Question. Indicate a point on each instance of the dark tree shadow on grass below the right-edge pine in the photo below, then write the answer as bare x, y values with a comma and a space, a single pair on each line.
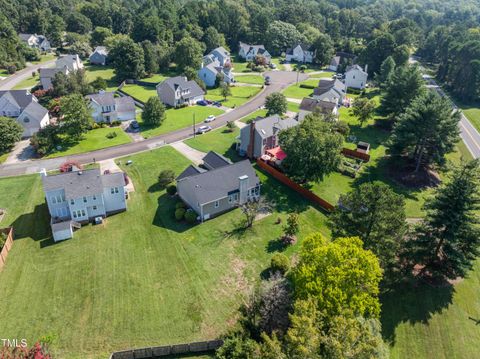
412, 303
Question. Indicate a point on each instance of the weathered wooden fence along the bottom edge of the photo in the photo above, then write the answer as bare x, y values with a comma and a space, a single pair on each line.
177, 349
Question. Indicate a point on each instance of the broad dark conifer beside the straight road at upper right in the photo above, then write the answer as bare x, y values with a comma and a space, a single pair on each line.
426, 131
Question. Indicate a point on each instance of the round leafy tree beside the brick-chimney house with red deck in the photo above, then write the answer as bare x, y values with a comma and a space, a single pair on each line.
313, 149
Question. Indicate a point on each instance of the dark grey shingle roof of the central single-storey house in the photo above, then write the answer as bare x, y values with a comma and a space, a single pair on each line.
212, 185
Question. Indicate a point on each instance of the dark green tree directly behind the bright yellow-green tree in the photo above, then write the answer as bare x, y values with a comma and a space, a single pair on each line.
376, 214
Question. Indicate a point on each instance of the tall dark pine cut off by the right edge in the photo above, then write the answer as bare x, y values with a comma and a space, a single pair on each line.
447, 242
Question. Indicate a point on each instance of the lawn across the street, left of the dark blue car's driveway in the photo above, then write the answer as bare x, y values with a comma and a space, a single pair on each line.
93, 140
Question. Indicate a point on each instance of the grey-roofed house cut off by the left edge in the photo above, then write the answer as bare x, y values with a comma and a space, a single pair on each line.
24, 106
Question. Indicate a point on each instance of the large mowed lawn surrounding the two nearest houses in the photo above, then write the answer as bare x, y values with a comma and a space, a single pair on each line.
142, 278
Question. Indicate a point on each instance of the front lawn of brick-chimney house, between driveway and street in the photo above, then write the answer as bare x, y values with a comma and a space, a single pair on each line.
220, 140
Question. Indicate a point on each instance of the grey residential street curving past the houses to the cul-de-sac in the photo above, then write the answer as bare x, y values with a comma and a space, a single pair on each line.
279, 80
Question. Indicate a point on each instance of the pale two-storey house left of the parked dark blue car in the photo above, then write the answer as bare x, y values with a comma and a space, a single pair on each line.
108, 108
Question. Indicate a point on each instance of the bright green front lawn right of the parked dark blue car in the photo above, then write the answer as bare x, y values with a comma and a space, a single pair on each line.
177, 119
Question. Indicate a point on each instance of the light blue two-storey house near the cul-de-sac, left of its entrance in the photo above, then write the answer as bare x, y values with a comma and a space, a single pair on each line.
216, 63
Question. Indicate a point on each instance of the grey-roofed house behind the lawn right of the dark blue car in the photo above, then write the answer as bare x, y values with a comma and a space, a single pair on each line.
177, 91
